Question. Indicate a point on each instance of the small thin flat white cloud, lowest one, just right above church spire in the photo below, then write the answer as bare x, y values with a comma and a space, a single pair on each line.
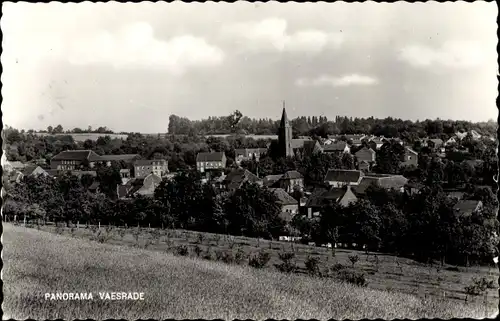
344, 81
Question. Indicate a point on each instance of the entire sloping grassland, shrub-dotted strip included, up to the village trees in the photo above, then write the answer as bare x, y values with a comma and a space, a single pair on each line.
69, 259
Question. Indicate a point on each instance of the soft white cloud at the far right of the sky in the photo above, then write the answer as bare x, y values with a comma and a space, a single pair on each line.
453, 54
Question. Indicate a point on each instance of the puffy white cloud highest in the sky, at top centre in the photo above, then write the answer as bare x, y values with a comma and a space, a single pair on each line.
272, 34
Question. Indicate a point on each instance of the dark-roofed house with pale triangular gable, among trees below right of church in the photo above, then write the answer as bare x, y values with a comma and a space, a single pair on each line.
321, 196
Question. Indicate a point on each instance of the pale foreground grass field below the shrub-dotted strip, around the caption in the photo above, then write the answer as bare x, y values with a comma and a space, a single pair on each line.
36, 262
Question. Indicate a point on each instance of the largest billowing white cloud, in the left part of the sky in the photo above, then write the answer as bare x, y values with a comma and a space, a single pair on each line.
136, 45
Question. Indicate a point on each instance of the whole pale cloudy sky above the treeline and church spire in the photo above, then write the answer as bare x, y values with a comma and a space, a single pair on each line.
129, 66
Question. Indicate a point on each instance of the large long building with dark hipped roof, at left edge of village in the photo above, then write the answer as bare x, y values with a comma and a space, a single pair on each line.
74, 159
